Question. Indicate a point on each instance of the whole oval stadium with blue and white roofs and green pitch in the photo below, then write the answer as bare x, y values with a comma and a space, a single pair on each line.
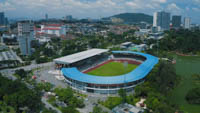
104, 72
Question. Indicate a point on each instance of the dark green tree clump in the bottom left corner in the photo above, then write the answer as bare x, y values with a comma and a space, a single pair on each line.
17, 95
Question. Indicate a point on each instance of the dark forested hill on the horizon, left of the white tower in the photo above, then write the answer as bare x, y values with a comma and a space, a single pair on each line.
133, 17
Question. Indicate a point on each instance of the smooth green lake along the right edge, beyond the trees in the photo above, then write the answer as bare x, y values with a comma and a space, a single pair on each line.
185, 67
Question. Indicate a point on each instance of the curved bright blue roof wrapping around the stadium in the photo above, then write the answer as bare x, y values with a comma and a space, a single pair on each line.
139, 73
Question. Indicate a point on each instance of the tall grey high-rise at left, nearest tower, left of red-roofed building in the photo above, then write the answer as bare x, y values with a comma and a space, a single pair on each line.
25, 36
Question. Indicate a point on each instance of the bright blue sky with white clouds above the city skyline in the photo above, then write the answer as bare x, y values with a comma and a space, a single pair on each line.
36, 9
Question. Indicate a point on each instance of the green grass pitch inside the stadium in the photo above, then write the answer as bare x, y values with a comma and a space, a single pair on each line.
112, 69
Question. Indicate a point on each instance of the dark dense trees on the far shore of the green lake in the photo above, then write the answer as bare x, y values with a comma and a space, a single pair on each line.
184, 41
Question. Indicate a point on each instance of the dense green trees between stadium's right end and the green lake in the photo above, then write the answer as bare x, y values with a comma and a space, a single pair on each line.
158, 83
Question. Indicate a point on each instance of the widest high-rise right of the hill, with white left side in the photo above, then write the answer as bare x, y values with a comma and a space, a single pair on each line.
162, 20
